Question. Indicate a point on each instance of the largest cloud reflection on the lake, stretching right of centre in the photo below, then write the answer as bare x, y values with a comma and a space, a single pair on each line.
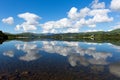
76, 53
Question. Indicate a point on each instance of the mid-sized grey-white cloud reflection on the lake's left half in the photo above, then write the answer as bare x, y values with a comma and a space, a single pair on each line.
31, 50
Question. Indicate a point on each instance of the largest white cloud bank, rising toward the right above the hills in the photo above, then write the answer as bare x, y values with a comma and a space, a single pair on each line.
76, 19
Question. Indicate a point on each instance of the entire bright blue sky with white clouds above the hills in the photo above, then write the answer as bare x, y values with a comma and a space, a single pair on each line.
59, 16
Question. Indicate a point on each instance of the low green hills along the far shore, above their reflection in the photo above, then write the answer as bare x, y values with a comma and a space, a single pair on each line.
69, 36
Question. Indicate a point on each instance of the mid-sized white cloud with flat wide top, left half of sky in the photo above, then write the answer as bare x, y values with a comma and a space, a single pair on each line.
31, 22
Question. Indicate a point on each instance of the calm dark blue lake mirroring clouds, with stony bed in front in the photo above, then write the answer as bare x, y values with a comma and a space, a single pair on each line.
59, 60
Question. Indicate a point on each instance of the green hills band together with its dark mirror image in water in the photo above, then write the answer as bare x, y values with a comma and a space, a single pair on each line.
100, 36
